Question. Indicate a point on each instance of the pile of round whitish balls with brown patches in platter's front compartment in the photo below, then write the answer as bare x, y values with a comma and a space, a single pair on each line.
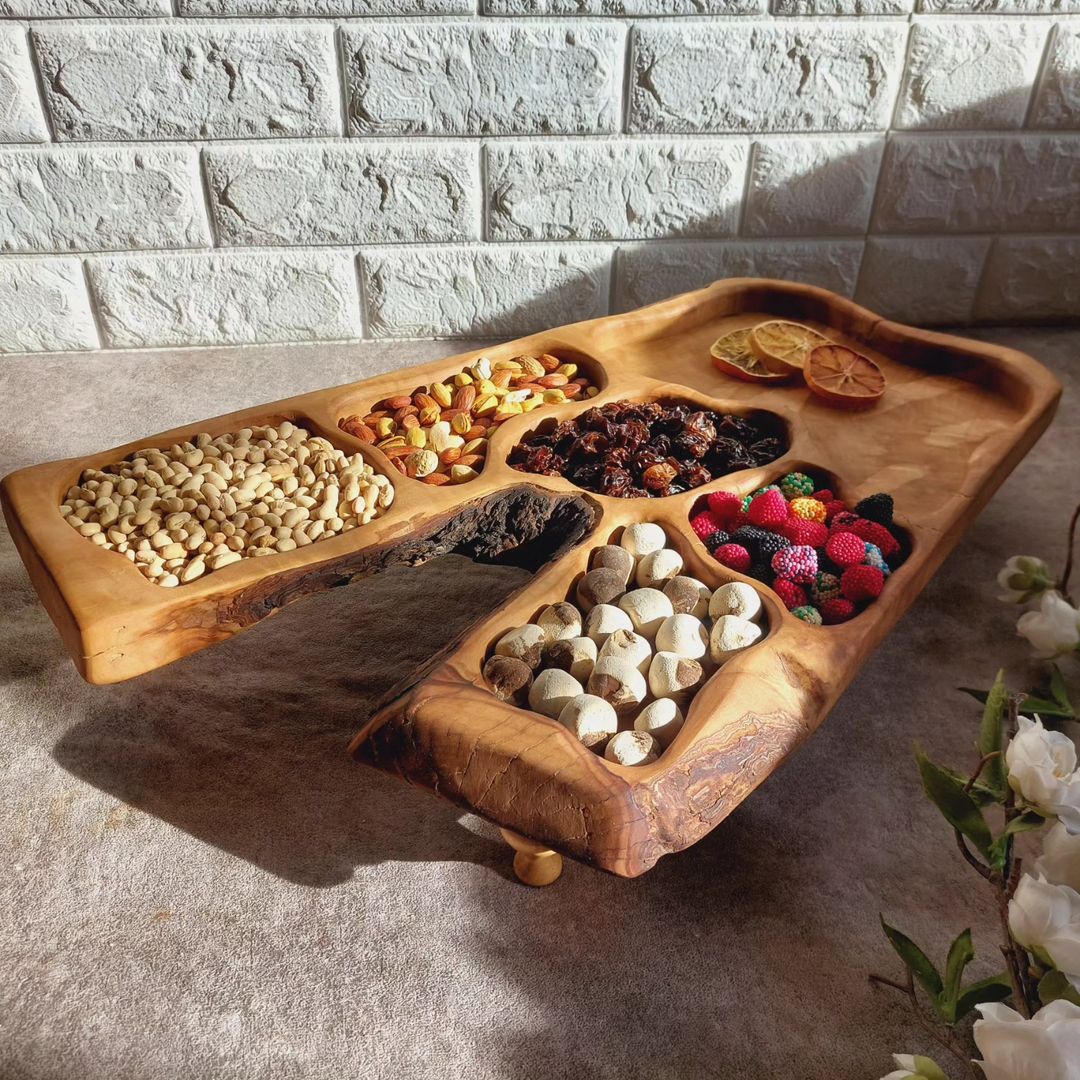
620, 667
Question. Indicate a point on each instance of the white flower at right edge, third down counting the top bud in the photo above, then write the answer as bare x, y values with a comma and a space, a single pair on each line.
1043, 769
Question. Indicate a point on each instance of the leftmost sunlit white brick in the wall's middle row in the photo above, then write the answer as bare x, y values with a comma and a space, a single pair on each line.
82, 200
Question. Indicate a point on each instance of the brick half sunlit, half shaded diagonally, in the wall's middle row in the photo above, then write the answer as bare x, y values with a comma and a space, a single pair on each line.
813, 186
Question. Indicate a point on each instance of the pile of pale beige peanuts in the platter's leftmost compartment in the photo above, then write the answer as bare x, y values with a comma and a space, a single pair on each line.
197, 507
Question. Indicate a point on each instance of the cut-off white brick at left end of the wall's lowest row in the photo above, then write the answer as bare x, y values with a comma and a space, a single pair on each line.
44, 307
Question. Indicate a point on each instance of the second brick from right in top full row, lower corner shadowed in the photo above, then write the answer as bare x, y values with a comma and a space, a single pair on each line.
968, 74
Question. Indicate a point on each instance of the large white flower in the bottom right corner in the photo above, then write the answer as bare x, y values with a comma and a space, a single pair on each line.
1047, 1047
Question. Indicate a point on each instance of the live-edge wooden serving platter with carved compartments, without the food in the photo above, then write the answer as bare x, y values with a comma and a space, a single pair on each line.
956, 420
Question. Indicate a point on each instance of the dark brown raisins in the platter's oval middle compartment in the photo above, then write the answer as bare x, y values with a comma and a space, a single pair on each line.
647, 450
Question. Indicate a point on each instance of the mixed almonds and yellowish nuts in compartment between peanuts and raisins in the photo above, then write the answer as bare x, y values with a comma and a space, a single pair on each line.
439, 435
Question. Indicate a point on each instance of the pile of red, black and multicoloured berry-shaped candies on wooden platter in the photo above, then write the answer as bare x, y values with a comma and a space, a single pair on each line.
825, 560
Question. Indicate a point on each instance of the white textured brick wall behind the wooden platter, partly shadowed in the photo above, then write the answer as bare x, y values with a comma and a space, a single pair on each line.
198, 172
